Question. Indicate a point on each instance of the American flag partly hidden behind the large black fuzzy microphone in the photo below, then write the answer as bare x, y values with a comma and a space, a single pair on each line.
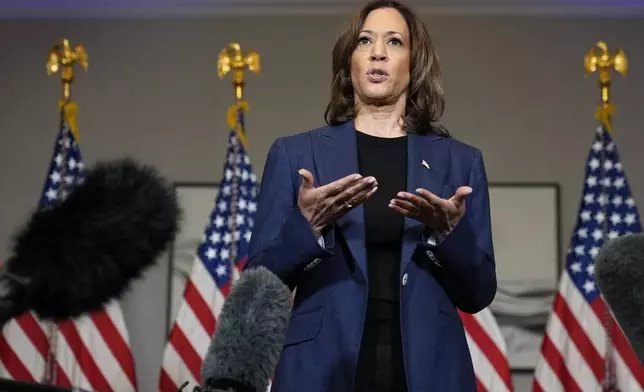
90, 352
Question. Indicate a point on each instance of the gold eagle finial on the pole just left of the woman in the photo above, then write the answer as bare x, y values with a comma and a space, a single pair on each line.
232, 59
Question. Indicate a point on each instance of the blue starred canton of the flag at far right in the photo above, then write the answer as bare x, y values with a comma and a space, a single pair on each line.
607, 208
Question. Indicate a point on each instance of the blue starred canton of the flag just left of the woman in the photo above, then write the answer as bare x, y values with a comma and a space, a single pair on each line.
227, 235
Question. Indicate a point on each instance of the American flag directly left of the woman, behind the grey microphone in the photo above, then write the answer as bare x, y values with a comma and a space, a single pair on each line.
219, 259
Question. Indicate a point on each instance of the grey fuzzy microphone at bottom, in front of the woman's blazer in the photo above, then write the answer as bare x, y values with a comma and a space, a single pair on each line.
249, 337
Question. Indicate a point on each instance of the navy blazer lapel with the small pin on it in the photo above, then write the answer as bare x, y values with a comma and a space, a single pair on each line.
427, 160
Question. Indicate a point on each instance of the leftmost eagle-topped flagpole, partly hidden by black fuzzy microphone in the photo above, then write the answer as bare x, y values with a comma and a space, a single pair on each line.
62, 57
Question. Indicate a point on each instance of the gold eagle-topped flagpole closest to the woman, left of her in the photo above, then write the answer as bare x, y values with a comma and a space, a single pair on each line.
232, 59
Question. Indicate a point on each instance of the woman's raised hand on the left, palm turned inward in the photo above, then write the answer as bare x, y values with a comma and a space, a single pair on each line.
321, 206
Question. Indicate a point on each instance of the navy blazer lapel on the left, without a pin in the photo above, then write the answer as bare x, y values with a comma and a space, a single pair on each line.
335, 156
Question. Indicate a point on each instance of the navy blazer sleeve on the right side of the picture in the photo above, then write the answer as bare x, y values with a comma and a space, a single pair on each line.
465, 264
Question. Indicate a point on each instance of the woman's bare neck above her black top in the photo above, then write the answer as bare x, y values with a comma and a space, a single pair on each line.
381, 121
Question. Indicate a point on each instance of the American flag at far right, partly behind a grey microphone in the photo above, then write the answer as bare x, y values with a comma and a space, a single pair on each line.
584, 348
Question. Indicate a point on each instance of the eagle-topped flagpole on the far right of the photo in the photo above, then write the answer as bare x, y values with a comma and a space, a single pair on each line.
603, 62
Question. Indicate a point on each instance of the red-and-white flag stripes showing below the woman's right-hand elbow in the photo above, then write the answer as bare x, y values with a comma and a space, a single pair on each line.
488, 352
